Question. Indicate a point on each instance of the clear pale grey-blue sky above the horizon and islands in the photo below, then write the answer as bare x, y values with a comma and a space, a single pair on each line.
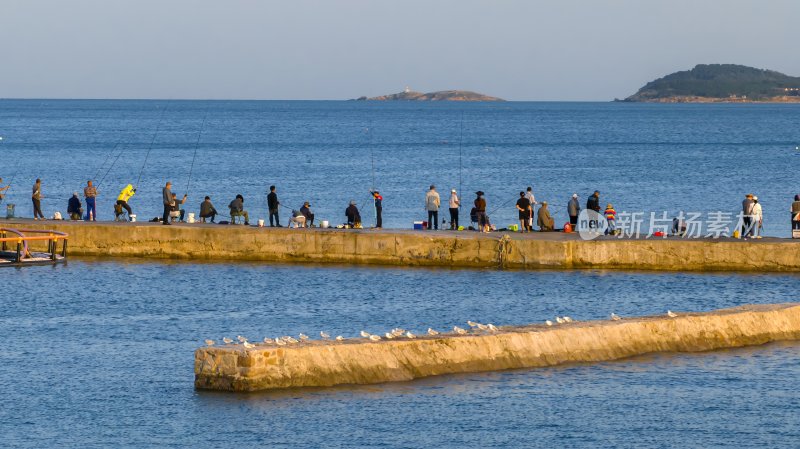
561, 50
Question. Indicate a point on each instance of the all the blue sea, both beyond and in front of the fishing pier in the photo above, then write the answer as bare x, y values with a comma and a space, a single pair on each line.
99, 352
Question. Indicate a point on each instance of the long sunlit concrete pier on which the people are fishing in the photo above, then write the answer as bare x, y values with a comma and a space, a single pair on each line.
419, 248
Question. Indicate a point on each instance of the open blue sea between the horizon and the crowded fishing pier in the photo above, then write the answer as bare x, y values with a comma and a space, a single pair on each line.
642, 157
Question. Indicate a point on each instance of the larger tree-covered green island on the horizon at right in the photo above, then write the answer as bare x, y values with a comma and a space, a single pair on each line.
721, 83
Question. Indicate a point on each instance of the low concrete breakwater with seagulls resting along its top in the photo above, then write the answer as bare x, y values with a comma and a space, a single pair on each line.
322, 364
